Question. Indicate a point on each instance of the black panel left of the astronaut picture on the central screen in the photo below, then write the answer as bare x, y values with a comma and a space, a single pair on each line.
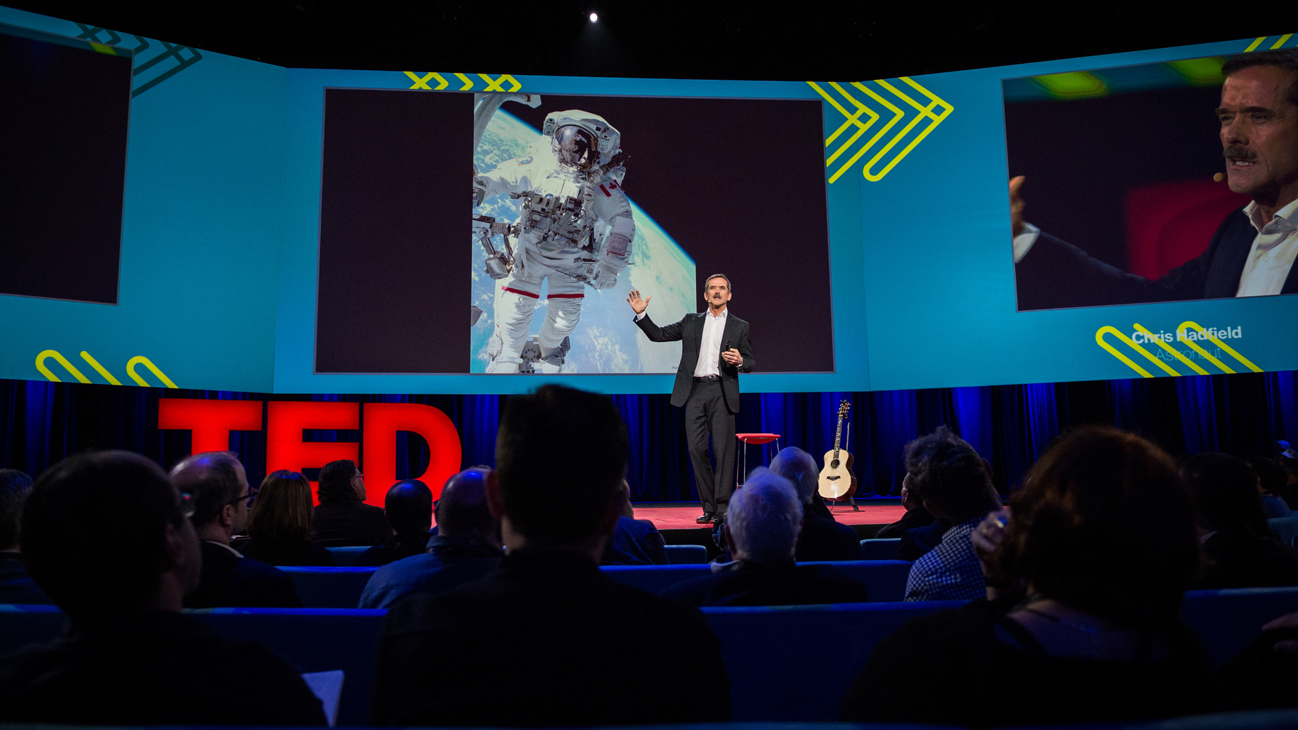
394, 264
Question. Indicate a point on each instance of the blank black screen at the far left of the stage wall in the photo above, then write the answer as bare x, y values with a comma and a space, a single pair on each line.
64, 118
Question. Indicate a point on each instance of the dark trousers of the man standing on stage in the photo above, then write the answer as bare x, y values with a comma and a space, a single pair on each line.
707, 415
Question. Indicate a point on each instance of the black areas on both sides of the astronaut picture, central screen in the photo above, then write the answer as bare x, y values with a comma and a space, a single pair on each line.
739, 184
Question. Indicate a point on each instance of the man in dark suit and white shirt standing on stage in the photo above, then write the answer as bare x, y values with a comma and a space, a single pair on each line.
716, 350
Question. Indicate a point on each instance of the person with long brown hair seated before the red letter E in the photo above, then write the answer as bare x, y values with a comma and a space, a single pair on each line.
280, 524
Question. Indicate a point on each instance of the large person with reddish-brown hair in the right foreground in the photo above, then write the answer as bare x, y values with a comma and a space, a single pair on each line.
1097, 557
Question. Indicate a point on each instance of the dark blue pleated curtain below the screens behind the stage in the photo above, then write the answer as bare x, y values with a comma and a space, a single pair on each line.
42, 423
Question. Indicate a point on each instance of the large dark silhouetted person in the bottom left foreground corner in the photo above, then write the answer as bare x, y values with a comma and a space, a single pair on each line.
129, 657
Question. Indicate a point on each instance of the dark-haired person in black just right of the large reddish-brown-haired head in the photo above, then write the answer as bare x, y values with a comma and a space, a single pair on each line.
1240, 549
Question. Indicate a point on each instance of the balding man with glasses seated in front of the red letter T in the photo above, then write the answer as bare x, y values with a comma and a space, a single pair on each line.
220, 490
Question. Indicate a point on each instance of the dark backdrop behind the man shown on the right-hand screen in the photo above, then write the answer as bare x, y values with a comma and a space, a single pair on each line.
1082, 158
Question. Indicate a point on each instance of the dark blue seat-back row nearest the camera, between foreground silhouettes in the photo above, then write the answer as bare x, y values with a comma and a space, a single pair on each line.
786, 664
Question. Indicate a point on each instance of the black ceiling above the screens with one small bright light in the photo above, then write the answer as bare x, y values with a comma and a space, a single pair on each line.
825, 41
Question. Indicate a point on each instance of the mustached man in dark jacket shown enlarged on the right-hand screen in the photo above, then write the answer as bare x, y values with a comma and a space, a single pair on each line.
1252, 253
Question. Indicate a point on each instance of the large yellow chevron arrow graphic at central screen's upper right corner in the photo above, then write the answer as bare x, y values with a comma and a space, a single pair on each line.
930, 115
